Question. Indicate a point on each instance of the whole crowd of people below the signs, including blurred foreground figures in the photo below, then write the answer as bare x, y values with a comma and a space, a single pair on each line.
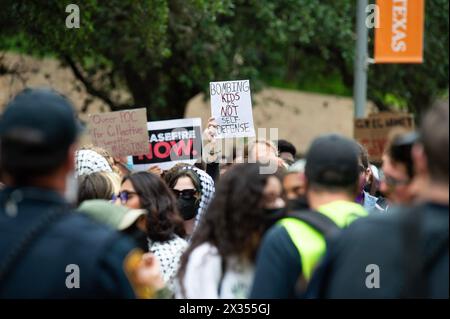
309, 229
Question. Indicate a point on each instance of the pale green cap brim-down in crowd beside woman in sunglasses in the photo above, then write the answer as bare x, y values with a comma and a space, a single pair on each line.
118, 217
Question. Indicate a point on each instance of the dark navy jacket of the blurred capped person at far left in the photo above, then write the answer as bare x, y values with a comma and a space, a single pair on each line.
43, 269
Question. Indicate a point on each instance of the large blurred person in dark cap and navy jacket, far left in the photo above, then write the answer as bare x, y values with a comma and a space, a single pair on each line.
44, 245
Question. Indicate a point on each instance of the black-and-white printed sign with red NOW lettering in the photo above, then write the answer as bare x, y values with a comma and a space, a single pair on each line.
171, 142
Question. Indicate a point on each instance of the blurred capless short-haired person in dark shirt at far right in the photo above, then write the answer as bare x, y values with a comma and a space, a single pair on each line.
403, 254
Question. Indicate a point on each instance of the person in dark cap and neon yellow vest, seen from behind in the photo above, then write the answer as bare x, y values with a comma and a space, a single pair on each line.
292, 248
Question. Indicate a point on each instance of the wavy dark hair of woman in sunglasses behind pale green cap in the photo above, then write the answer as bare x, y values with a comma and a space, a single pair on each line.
163, 218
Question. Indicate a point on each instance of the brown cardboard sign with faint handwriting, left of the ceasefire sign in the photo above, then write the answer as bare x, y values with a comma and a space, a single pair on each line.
121, 133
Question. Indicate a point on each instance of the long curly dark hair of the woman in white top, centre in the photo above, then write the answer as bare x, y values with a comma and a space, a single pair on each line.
234, 221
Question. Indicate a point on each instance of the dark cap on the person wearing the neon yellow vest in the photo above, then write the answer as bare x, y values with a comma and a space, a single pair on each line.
332, 160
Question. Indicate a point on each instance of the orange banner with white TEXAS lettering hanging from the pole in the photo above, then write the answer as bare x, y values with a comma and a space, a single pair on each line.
399, 36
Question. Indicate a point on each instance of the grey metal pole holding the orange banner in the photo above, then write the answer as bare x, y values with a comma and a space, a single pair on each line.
360, 84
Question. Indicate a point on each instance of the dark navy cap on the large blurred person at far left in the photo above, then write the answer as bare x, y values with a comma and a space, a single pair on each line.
42, 117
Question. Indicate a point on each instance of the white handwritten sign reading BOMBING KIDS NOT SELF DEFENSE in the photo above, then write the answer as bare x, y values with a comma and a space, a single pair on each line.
231, 105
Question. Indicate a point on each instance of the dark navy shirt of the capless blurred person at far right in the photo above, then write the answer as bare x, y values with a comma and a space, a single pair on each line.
372, 258
